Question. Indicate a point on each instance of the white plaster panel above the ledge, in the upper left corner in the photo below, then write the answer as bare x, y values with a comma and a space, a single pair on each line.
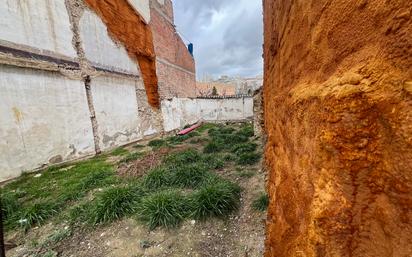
43, 24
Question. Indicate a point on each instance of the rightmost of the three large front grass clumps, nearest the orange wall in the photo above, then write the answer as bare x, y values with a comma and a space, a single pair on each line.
216, 199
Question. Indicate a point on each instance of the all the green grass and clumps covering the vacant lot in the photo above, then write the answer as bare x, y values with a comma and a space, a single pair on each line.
184, 186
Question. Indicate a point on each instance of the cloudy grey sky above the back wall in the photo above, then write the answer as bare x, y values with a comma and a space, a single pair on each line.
227, 35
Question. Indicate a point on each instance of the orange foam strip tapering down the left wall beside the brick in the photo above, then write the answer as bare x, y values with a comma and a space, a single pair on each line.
128, 27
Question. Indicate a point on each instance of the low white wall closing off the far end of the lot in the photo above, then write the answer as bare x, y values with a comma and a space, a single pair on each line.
179, 112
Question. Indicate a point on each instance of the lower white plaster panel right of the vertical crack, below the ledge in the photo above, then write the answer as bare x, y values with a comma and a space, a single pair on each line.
115, 103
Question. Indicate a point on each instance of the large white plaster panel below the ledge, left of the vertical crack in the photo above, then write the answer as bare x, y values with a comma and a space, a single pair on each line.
42, 115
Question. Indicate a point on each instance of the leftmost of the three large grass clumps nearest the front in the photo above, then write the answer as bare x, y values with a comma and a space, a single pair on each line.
114, 203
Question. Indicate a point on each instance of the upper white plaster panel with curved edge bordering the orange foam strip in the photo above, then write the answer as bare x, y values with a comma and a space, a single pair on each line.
99, 47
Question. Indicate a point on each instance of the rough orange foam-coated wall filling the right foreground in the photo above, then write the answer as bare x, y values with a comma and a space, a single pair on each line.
338, 114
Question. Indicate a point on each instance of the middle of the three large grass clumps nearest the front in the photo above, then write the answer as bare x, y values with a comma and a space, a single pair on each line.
165, 208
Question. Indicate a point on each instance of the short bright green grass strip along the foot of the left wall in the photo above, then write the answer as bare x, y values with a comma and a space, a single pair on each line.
33, 200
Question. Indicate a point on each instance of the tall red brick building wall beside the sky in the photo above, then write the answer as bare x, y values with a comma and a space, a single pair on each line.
175, 65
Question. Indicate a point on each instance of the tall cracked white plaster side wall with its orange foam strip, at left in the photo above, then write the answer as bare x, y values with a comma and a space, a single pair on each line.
70, 85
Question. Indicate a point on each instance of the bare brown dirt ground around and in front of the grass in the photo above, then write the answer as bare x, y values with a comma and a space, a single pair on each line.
242, 234
